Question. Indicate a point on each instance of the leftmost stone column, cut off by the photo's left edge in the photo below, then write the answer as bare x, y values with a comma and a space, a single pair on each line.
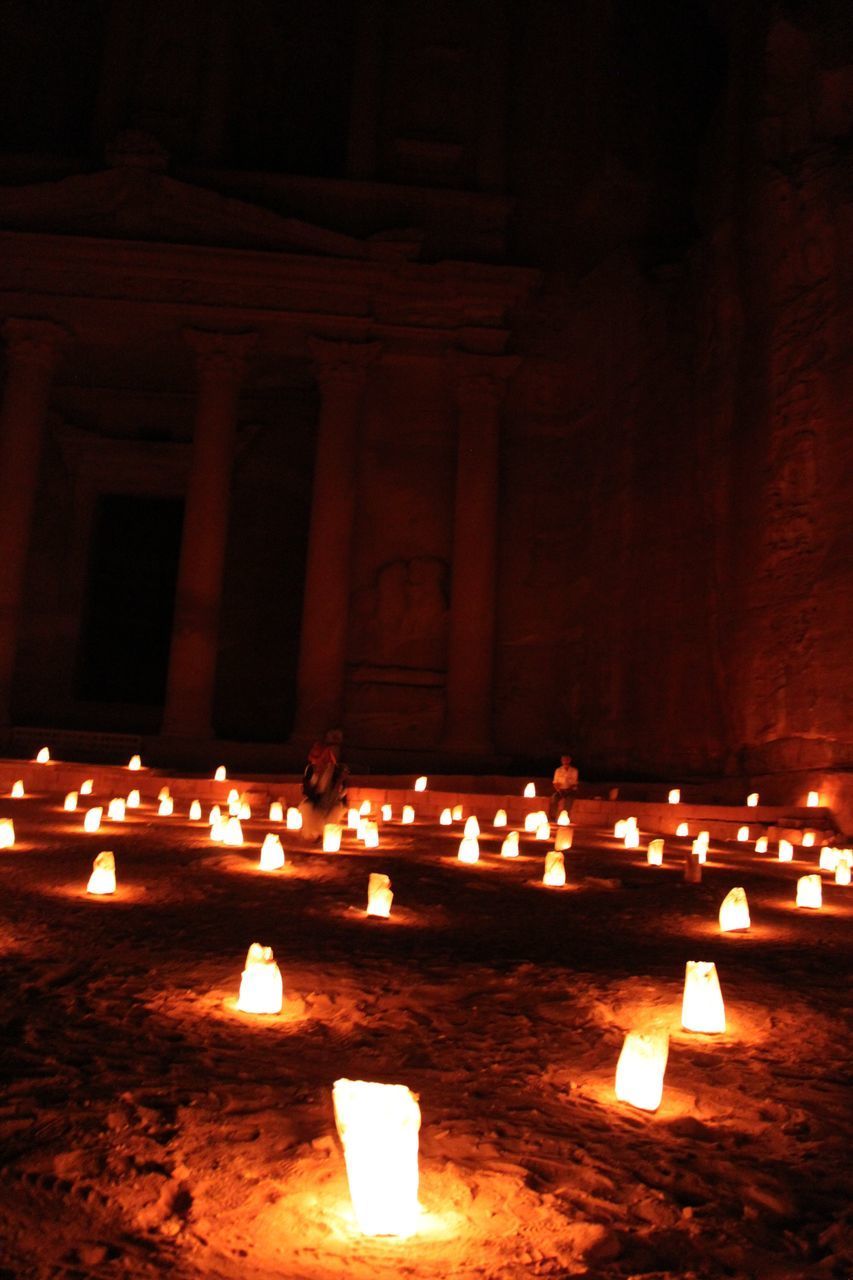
31, 355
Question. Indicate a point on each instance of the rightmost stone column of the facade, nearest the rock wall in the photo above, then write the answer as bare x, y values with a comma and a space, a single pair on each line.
481, 388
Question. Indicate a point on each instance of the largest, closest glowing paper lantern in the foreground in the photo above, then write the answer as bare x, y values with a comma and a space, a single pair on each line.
378, 1126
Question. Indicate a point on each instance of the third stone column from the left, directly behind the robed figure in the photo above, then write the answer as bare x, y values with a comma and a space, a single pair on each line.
343, 374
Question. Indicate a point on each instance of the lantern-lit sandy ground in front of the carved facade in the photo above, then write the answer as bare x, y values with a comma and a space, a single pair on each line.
148, 1128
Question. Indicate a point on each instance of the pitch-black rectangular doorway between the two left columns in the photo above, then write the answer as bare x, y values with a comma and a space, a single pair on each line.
130, 600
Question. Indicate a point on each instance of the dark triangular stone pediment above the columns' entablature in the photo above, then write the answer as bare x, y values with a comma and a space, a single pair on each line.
129, 203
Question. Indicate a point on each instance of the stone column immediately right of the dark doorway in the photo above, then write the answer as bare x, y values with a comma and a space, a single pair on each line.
221, 362
